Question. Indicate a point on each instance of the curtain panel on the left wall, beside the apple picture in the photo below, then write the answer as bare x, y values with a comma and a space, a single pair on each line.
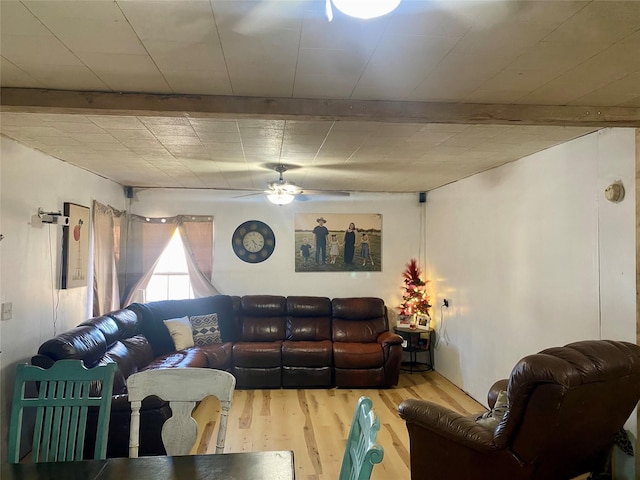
107, 227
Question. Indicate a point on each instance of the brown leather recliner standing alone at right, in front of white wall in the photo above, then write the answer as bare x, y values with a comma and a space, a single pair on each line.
565, 405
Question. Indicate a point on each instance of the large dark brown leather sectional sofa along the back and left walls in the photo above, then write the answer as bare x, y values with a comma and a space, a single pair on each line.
268, 341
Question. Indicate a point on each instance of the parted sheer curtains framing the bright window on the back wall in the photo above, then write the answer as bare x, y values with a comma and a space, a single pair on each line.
147, 239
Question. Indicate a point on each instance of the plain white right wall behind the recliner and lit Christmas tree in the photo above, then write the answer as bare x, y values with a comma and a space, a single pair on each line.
532, 256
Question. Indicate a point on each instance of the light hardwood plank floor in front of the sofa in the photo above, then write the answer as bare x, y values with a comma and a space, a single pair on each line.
314, 423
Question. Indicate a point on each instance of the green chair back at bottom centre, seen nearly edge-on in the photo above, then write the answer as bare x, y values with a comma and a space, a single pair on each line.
362, 452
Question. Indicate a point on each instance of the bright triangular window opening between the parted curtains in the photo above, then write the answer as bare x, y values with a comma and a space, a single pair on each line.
170, 279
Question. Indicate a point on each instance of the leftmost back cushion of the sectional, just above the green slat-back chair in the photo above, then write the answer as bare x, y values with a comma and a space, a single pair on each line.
86, 343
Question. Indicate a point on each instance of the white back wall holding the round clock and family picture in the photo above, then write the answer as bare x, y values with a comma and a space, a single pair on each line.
401, 215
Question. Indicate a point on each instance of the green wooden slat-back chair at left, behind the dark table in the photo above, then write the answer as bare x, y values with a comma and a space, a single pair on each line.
61, 407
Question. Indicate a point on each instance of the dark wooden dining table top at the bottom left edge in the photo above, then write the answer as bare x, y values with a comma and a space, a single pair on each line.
272, 465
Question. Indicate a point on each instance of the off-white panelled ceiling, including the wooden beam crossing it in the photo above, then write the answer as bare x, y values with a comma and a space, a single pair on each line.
436, 91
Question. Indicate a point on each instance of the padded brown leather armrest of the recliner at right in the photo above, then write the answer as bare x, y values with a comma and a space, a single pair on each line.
448, 424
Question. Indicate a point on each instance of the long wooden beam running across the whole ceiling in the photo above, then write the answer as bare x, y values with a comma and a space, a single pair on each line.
212, 106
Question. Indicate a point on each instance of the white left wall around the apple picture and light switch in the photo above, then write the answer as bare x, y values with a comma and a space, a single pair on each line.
30, 254
